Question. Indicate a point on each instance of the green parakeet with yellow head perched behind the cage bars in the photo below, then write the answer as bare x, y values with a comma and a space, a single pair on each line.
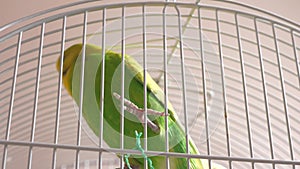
133, 106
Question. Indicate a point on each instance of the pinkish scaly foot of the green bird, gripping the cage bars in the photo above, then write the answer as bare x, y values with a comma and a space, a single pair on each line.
140, 113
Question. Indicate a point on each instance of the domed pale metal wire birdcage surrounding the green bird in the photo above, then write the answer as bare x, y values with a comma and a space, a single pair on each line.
232, 75
